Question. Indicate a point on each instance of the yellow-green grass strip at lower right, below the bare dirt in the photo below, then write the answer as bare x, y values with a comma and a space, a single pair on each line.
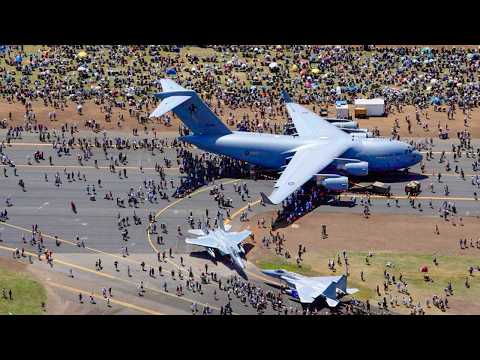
450, 268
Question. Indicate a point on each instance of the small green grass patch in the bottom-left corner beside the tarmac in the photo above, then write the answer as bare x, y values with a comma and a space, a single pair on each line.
27, 293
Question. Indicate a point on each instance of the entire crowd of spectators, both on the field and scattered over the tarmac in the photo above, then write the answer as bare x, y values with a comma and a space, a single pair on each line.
234, 77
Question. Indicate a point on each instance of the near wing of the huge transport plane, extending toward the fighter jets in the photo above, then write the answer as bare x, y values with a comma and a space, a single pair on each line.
307, 161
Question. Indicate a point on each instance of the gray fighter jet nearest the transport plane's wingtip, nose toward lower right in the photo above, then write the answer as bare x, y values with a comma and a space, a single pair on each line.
222, 240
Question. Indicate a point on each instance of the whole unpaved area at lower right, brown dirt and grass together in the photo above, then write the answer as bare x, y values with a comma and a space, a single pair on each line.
407, 241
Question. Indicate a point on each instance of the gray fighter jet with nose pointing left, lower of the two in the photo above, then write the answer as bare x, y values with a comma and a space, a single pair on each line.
308, 289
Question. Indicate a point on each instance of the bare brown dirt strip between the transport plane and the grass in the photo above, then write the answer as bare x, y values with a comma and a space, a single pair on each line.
381, 232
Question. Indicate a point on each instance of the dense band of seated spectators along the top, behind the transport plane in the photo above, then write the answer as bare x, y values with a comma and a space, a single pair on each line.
237, 77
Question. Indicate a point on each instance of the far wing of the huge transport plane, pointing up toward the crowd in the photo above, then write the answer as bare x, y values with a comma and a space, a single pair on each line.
307, 123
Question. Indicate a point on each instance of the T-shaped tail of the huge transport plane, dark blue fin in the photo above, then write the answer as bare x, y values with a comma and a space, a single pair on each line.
192, 111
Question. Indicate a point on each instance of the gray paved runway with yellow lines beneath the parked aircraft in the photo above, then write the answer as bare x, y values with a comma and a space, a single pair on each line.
96, 223
